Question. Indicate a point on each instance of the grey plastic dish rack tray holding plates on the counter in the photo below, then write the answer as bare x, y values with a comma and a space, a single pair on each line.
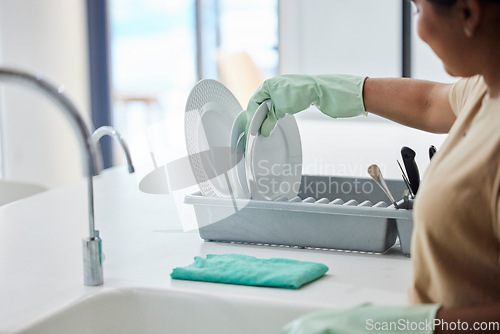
343, 213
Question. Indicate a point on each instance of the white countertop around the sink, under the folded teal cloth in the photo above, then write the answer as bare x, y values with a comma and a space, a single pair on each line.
41, 257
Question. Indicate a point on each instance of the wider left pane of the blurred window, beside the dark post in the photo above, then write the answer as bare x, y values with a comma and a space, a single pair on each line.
153, 58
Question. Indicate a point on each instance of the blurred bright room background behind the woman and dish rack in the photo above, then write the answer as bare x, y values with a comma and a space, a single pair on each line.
132, 64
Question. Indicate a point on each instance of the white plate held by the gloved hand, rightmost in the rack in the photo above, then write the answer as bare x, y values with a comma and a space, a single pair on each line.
273, 164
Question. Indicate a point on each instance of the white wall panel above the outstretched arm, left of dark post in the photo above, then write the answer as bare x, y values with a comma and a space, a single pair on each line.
359, 37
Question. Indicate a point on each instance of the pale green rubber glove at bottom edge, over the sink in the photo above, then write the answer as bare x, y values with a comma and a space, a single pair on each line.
367, 318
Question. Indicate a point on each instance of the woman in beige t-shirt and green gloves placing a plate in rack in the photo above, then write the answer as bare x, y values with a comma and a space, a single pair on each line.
456, 239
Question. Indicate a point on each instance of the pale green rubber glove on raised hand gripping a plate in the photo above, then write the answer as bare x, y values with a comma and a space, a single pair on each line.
336, 95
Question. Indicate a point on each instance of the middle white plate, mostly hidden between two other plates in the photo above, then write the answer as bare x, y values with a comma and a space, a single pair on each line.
237, 157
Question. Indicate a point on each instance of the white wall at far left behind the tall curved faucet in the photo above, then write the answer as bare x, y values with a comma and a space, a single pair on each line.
48, 37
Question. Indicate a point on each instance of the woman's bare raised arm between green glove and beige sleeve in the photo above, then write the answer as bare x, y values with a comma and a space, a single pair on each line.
420, 104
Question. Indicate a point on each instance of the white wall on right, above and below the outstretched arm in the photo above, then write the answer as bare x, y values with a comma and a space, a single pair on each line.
361, 37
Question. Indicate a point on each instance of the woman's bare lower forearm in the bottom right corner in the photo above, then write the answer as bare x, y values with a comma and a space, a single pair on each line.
470, 320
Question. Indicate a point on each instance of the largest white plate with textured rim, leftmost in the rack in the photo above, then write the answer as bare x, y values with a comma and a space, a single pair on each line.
211, 110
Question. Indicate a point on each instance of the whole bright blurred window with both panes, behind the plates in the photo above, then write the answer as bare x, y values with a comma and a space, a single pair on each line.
154, 62
